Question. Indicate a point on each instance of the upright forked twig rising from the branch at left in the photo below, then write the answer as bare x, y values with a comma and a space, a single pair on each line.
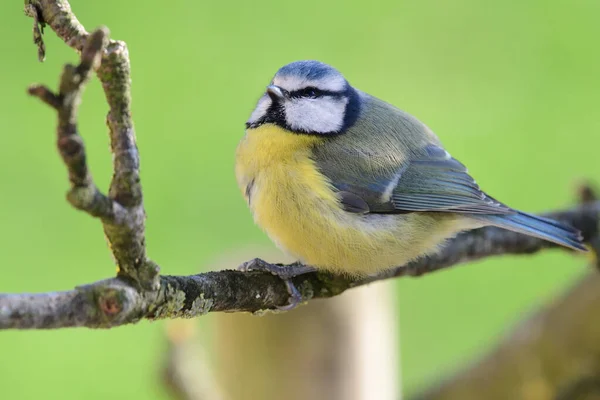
122, 211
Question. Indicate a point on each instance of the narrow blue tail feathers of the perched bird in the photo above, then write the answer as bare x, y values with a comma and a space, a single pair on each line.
539, 227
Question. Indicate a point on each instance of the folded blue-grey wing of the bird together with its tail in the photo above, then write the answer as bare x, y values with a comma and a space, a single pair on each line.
436, 182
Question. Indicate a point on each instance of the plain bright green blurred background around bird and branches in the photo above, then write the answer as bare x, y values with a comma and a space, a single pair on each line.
511, 88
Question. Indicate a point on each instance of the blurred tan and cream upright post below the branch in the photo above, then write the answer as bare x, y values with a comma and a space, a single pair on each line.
342, 348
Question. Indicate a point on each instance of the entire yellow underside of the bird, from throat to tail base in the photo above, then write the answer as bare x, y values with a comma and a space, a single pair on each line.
297, 207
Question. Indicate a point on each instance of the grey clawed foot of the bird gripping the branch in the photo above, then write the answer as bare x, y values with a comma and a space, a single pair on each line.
285, 273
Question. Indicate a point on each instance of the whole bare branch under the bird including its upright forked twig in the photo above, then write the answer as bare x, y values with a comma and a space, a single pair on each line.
138, 292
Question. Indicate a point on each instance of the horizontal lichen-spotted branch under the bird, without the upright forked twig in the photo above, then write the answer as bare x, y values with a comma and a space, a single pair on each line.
117, 301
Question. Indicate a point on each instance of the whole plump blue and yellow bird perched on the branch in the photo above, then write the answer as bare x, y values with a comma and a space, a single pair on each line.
348, 183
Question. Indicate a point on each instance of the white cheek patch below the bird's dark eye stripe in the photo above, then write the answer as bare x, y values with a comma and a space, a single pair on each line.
321, 115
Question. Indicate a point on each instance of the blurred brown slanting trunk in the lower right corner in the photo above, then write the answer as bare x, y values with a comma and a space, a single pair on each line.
553, 355
